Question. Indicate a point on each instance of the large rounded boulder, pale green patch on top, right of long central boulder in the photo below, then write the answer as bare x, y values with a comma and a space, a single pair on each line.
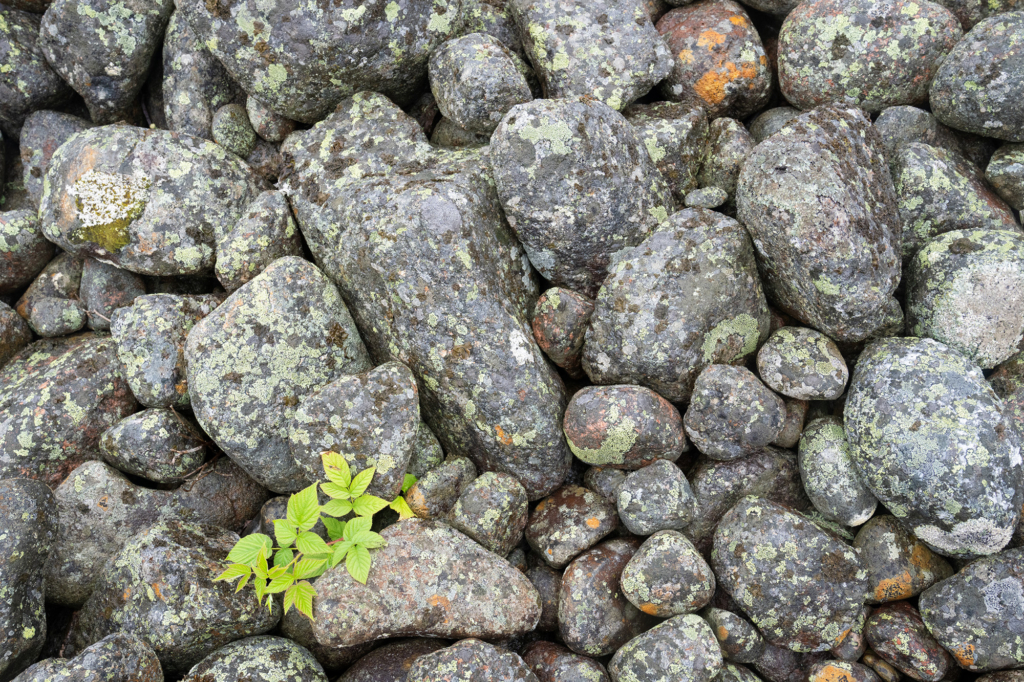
578, 188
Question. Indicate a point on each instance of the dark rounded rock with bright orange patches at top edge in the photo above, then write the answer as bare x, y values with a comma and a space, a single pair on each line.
719, 62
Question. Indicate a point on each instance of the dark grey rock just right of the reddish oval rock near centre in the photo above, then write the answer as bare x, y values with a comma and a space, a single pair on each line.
732, 413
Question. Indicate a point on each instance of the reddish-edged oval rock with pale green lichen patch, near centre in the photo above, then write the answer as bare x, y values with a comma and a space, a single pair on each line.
623, 428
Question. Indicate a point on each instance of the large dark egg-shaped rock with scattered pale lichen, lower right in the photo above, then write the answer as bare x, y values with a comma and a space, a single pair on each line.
774, 563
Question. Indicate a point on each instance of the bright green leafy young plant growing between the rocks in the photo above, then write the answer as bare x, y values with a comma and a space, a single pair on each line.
302, 555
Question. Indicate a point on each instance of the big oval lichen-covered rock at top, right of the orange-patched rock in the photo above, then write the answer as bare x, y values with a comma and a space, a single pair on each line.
874, 54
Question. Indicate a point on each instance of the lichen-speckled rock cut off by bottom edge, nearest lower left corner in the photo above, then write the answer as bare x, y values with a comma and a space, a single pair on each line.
117, 658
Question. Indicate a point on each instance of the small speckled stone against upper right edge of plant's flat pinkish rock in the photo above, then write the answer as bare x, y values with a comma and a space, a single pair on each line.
493, 511
